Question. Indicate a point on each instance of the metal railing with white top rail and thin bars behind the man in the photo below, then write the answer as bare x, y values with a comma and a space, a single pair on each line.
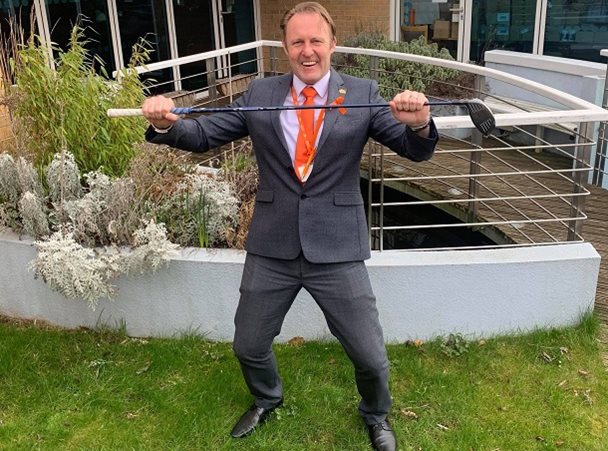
518, 187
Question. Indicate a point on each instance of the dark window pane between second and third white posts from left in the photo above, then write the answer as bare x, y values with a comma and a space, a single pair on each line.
146, 19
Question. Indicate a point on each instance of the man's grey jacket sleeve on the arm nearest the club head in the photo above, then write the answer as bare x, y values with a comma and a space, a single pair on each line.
385, 129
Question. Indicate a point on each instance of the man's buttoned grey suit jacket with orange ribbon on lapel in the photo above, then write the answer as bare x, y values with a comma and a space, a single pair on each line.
325, 217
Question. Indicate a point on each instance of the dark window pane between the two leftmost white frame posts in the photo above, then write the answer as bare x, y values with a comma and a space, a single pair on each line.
93, 16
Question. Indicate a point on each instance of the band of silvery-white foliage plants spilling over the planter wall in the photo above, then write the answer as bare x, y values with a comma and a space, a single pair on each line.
72, 221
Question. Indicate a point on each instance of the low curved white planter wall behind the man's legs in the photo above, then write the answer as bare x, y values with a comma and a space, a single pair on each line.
420, 294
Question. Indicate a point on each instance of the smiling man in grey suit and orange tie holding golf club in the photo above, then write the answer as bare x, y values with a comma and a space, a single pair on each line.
309, 228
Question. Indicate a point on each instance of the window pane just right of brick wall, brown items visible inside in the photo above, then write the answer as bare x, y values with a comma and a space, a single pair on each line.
430, 19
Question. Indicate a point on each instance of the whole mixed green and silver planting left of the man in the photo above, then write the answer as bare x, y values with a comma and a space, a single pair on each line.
86, 187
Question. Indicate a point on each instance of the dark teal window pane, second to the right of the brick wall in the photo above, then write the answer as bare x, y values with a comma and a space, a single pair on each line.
502, 24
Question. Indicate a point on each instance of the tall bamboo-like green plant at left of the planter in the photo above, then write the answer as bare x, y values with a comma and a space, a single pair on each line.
65, 108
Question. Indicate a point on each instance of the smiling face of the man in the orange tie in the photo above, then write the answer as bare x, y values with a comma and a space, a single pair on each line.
309, 45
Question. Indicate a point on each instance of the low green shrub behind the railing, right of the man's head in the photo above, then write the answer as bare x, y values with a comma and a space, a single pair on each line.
397, 75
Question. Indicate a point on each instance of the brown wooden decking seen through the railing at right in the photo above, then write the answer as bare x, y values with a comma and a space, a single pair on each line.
595, 228
